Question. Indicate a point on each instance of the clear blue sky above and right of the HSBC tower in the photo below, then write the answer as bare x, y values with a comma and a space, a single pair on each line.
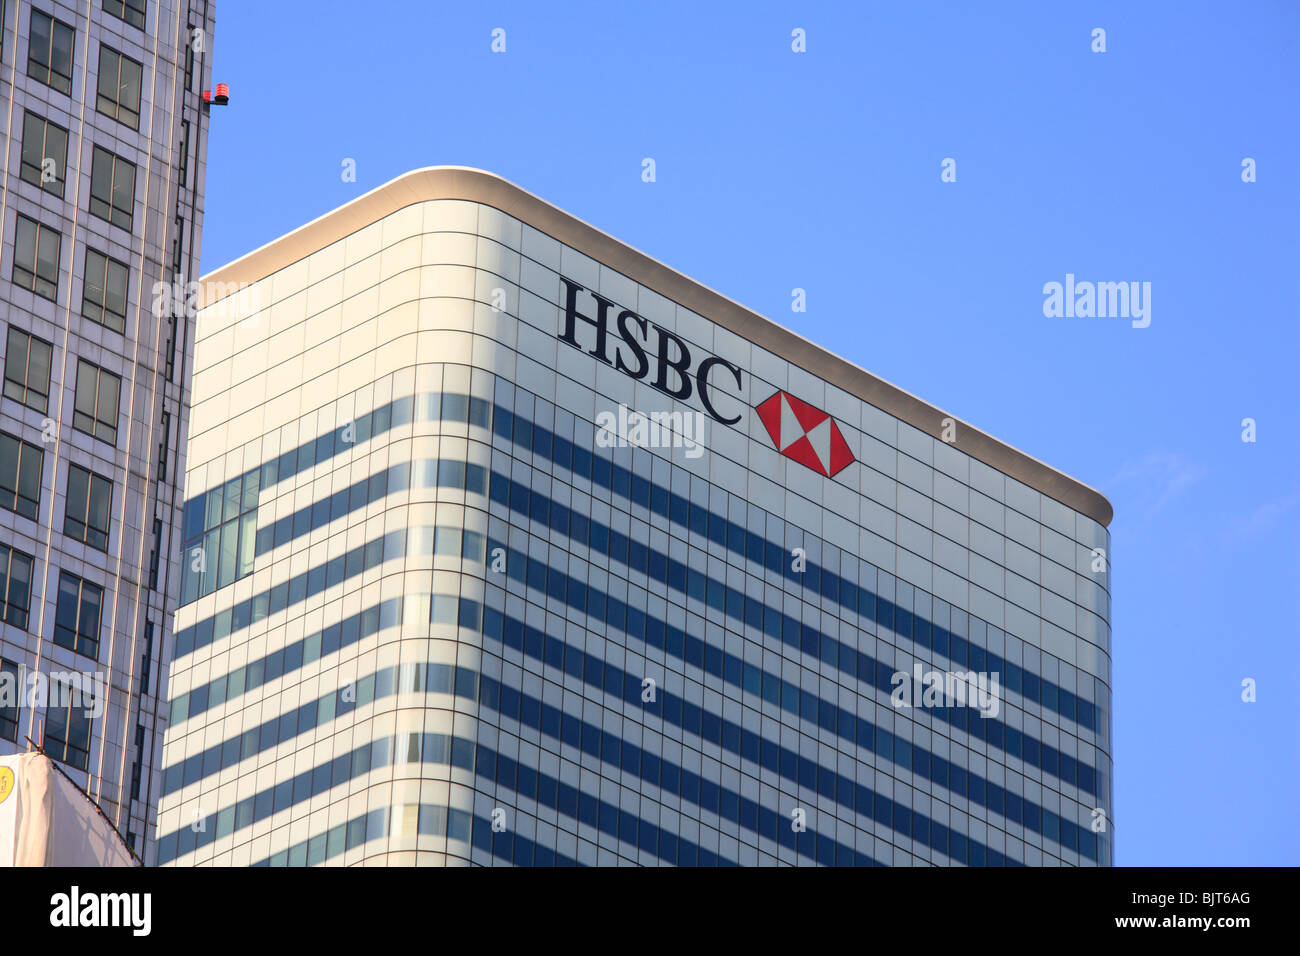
822, 171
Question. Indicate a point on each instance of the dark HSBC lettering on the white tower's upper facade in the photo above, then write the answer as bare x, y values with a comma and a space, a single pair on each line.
638, 348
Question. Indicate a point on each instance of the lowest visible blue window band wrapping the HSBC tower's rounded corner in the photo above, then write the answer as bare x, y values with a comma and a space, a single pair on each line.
513, 849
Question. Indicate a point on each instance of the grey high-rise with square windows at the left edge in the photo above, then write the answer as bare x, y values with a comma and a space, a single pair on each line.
105, 136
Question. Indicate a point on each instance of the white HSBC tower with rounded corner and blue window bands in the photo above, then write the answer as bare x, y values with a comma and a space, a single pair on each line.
506, 544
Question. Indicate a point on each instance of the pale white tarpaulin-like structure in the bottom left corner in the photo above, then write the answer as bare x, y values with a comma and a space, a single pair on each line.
46, 821
